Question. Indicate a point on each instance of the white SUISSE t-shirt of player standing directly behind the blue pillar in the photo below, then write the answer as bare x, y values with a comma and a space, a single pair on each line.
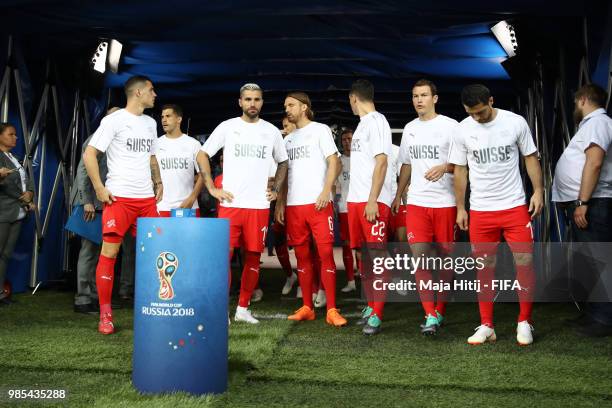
177, 163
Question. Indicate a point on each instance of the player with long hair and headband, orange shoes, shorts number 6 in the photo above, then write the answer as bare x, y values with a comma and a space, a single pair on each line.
306, 207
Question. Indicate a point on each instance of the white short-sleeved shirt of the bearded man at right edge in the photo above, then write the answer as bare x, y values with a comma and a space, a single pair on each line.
595, 128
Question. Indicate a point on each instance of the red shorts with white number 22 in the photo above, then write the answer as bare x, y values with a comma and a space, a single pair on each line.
361, 231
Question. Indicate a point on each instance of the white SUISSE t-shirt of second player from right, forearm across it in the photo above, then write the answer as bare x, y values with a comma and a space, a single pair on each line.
425, 144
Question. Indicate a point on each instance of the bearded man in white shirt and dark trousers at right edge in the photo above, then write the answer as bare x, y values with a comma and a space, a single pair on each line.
583, 187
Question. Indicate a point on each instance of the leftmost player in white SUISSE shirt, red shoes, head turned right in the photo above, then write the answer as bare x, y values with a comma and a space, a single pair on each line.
133, 183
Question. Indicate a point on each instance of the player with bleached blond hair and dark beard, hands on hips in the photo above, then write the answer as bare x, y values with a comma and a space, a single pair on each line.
250, 144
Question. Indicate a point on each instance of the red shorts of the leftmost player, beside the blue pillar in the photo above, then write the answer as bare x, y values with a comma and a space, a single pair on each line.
121, 216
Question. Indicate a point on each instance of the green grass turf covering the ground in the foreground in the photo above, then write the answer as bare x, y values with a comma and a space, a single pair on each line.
44, 344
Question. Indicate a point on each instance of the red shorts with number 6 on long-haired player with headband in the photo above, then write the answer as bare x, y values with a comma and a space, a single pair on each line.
304, 221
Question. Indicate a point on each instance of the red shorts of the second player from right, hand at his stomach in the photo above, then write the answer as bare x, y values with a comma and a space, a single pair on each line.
426, 224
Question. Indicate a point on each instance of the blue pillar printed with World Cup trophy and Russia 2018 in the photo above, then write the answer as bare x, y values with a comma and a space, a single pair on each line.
180, 309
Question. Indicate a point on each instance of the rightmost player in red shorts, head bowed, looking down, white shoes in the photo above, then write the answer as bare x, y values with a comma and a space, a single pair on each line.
489, 141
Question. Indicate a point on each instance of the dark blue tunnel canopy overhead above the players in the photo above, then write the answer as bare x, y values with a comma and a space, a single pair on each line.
199, 53
